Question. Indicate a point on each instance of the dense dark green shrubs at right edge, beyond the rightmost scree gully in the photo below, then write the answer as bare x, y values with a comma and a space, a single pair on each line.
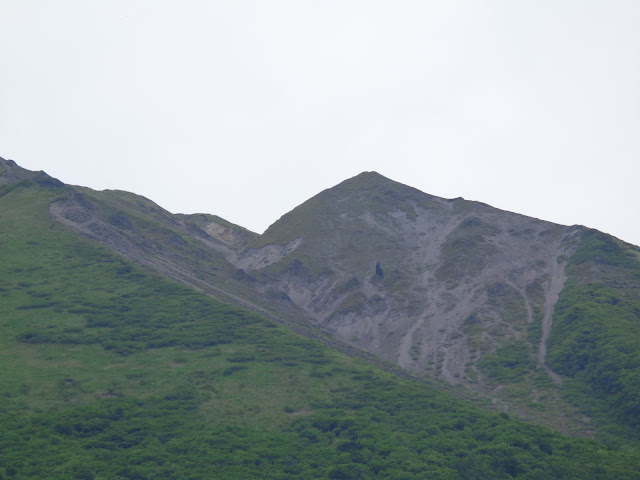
596, 330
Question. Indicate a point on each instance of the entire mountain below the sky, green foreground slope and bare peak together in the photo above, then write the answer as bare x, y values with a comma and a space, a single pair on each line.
119, 364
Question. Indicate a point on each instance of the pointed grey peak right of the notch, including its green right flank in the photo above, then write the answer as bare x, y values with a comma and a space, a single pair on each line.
467, 293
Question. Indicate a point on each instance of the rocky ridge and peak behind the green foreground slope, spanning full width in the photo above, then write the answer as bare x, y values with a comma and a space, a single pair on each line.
540, 319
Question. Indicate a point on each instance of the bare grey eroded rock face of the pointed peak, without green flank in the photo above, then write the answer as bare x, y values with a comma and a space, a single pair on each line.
427, 283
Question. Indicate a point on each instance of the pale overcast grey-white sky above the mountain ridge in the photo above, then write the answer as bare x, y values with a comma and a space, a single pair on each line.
246, 109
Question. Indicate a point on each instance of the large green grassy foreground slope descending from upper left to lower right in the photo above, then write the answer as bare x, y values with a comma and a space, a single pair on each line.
110, 372
